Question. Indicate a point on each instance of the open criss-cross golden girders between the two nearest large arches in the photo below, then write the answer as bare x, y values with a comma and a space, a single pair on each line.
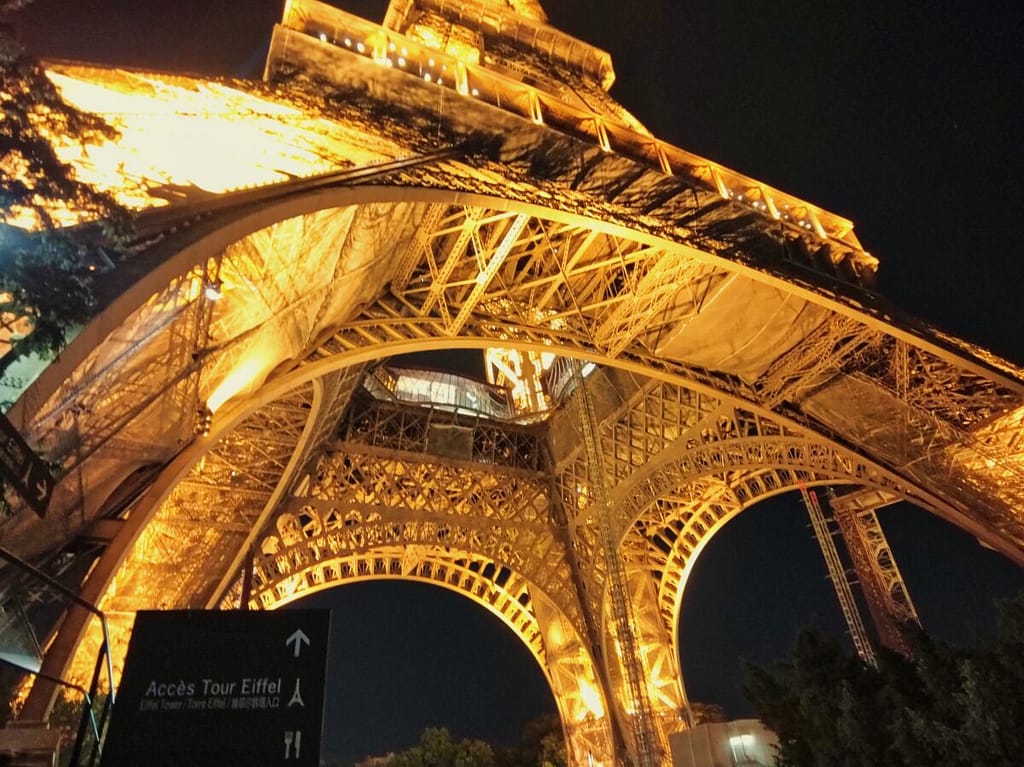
610, 287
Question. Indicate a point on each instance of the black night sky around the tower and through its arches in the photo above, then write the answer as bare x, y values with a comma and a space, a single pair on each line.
903, 117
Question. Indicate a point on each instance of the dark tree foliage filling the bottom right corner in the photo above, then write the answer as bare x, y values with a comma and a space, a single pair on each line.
945, 706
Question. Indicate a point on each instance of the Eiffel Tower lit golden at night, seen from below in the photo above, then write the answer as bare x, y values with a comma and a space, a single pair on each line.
667, 343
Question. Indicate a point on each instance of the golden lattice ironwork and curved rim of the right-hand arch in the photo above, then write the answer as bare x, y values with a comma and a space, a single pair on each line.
721, 460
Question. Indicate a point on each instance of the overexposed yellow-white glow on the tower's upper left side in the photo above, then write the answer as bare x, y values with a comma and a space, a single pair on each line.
182, 138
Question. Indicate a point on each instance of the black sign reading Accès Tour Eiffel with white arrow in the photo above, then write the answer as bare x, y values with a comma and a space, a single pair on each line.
216, 689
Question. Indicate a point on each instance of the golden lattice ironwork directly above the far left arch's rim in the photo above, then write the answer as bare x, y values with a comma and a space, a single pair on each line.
360, 498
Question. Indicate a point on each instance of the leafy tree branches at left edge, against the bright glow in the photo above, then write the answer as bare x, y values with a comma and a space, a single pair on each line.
44, 278
